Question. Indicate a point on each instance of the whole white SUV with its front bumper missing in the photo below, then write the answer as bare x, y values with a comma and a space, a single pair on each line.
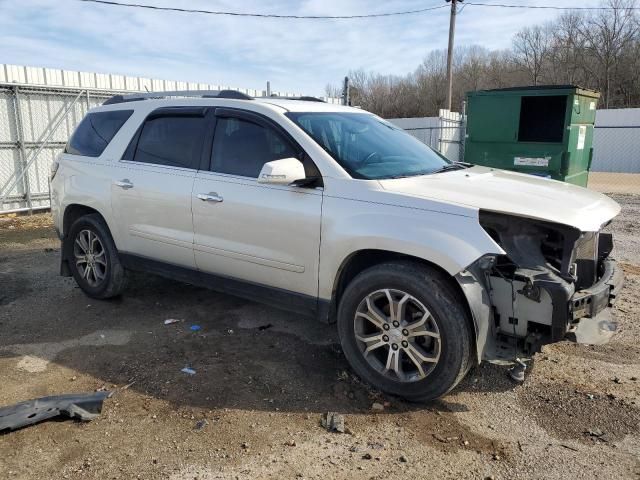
427, 266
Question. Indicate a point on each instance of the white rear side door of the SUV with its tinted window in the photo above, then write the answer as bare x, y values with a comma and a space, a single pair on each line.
153, 183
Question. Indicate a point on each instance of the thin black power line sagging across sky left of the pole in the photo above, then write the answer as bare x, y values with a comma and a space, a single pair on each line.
264, 15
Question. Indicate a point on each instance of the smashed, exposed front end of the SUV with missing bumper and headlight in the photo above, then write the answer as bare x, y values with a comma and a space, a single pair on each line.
550, 277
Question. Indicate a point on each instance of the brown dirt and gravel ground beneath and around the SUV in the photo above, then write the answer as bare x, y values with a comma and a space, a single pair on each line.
264, 378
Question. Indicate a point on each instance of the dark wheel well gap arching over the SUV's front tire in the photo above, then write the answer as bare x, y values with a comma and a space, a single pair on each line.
363, 259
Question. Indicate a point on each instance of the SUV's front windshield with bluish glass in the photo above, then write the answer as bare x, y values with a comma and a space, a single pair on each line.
368, 147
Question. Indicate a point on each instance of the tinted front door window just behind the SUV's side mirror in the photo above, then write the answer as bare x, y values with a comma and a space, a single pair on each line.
242, 147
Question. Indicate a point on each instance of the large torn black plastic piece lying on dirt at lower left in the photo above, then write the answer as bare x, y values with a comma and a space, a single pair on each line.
81, 406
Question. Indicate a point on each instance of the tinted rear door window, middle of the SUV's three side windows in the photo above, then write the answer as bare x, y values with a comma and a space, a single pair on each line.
174, 141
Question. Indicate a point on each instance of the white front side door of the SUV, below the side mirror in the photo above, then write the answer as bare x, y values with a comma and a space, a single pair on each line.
244, 230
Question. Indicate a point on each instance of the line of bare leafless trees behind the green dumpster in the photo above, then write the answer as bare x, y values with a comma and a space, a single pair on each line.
598, 49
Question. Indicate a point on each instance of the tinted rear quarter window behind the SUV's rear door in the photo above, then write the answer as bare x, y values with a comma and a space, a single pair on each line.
95, 132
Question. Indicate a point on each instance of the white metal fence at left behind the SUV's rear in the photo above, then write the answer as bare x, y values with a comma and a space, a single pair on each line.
33, 99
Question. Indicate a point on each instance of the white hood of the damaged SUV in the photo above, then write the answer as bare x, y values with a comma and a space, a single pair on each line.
512, 193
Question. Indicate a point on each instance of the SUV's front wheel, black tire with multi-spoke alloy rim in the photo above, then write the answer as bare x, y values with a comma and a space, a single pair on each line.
445, 334
